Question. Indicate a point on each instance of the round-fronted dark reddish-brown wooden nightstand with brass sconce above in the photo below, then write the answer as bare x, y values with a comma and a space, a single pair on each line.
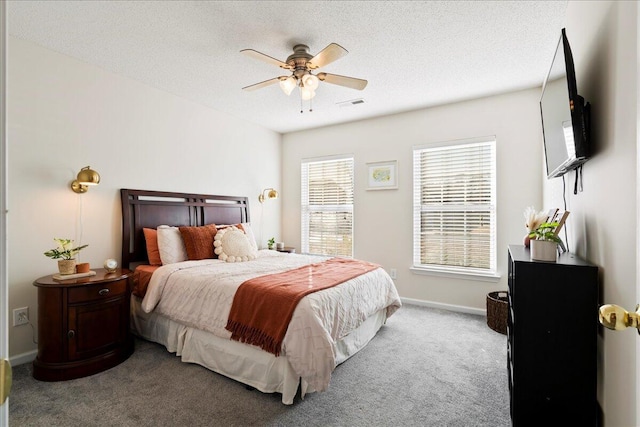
83, 325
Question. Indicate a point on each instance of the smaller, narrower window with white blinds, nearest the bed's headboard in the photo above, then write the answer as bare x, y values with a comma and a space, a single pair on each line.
327, 206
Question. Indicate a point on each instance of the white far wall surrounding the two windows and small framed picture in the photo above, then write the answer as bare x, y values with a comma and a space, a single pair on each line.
383, 219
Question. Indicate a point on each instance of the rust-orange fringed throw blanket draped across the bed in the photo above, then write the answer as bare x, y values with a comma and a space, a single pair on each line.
263, 306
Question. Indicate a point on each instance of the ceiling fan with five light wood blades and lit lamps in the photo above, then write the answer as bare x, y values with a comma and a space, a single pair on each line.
302, 64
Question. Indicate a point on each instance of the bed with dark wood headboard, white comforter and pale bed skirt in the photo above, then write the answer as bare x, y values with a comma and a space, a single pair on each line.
326, 327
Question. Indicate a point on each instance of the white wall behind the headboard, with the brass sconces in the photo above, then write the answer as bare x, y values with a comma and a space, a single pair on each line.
64, 114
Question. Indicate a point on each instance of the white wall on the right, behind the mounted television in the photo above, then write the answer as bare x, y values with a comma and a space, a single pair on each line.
602, 226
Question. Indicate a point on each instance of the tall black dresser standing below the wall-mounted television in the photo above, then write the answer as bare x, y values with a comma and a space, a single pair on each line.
552, 331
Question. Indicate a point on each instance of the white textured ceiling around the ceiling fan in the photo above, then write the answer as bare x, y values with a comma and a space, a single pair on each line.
414, 54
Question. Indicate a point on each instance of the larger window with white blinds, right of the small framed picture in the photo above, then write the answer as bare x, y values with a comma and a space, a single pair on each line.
454, 208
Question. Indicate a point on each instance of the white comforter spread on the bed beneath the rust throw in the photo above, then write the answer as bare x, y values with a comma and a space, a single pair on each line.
200, 294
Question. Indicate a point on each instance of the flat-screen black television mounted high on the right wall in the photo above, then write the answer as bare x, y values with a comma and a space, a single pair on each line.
565, 116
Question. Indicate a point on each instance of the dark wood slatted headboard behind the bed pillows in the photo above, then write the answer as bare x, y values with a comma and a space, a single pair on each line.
149, 209
